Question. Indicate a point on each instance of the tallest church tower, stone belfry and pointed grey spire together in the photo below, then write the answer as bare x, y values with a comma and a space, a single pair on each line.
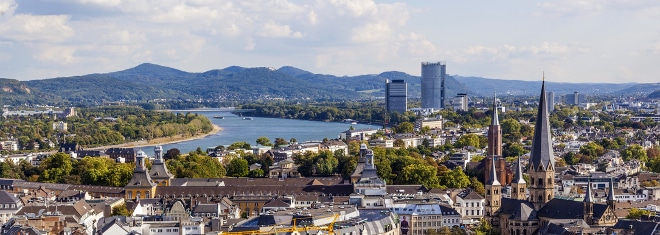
542, 160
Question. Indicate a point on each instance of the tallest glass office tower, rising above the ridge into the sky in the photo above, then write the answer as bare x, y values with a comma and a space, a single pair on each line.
433, 85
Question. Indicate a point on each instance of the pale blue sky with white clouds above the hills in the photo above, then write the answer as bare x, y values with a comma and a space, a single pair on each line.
599, 41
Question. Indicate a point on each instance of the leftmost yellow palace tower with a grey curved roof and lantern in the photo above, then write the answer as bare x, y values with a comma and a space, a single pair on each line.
140, 186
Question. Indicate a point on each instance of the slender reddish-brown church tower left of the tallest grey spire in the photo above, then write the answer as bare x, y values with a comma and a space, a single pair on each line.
495, 149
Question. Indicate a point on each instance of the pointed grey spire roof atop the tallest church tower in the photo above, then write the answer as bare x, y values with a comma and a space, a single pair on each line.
541, 154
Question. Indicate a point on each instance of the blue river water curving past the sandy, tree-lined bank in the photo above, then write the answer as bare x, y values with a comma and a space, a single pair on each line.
235, 129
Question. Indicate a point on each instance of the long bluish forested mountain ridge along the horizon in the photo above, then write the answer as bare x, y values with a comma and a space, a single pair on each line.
151, 81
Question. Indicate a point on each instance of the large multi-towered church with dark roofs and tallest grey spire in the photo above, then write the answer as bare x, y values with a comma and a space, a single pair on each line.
541, 211
